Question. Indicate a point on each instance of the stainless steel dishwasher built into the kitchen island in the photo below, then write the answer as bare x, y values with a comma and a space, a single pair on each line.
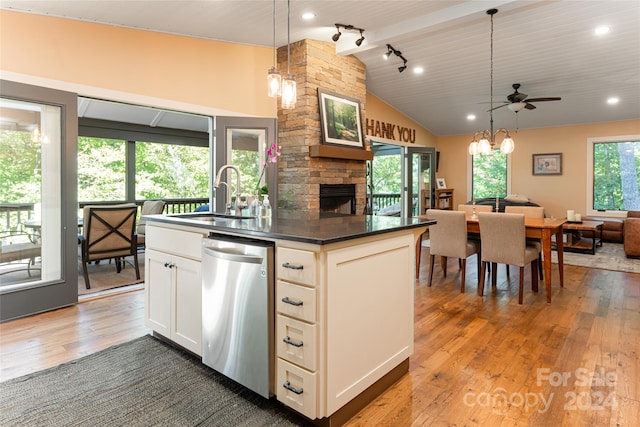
237, 310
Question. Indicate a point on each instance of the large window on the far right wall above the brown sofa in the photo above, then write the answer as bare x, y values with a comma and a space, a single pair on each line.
613, 174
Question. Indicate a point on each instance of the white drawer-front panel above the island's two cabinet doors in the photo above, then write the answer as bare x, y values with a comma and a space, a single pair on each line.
178, 242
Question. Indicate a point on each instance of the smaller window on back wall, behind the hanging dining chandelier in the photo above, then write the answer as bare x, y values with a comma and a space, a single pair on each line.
489, 175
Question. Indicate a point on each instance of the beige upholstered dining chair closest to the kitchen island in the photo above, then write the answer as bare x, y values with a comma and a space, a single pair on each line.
448, 238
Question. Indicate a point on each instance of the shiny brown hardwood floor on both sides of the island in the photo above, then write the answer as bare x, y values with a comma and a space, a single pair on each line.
477, 360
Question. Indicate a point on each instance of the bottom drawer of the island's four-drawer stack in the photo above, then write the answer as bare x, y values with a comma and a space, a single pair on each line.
296, 388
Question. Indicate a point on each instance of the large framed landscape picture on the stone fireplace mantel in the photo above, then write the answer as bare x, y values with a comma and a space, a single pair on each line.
340, 120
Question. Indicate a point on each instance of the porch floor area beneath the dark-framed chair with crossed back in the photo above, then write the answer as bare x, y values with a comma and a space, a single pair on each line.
103, 276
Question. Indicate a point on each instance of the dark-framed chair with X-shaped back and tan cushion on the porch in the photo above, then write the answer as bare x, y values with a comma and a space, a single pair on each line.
109, 232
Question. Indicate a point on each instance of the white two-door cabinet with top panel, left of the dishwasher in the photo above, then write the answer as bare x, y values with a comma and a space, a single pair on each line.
173, 286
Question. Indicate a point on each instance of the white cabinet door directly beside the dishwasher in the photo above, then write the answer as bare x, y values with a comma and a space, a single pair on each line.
187, 325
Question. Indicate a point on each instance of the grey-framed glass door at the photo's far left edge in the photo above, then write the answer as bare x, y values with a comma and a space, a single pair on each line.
38, 237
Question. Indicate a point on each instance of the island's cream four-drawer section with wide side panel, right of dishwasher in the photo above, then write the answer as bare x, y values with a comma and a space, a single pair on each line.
344, 319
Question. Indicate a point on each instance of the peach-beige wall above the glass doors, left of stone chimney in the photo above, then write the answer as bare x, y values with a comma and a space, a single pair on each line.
130, 65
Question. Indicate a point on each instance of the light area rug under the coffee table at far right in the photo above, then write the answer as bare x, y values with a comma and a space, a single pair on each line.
609, 257
